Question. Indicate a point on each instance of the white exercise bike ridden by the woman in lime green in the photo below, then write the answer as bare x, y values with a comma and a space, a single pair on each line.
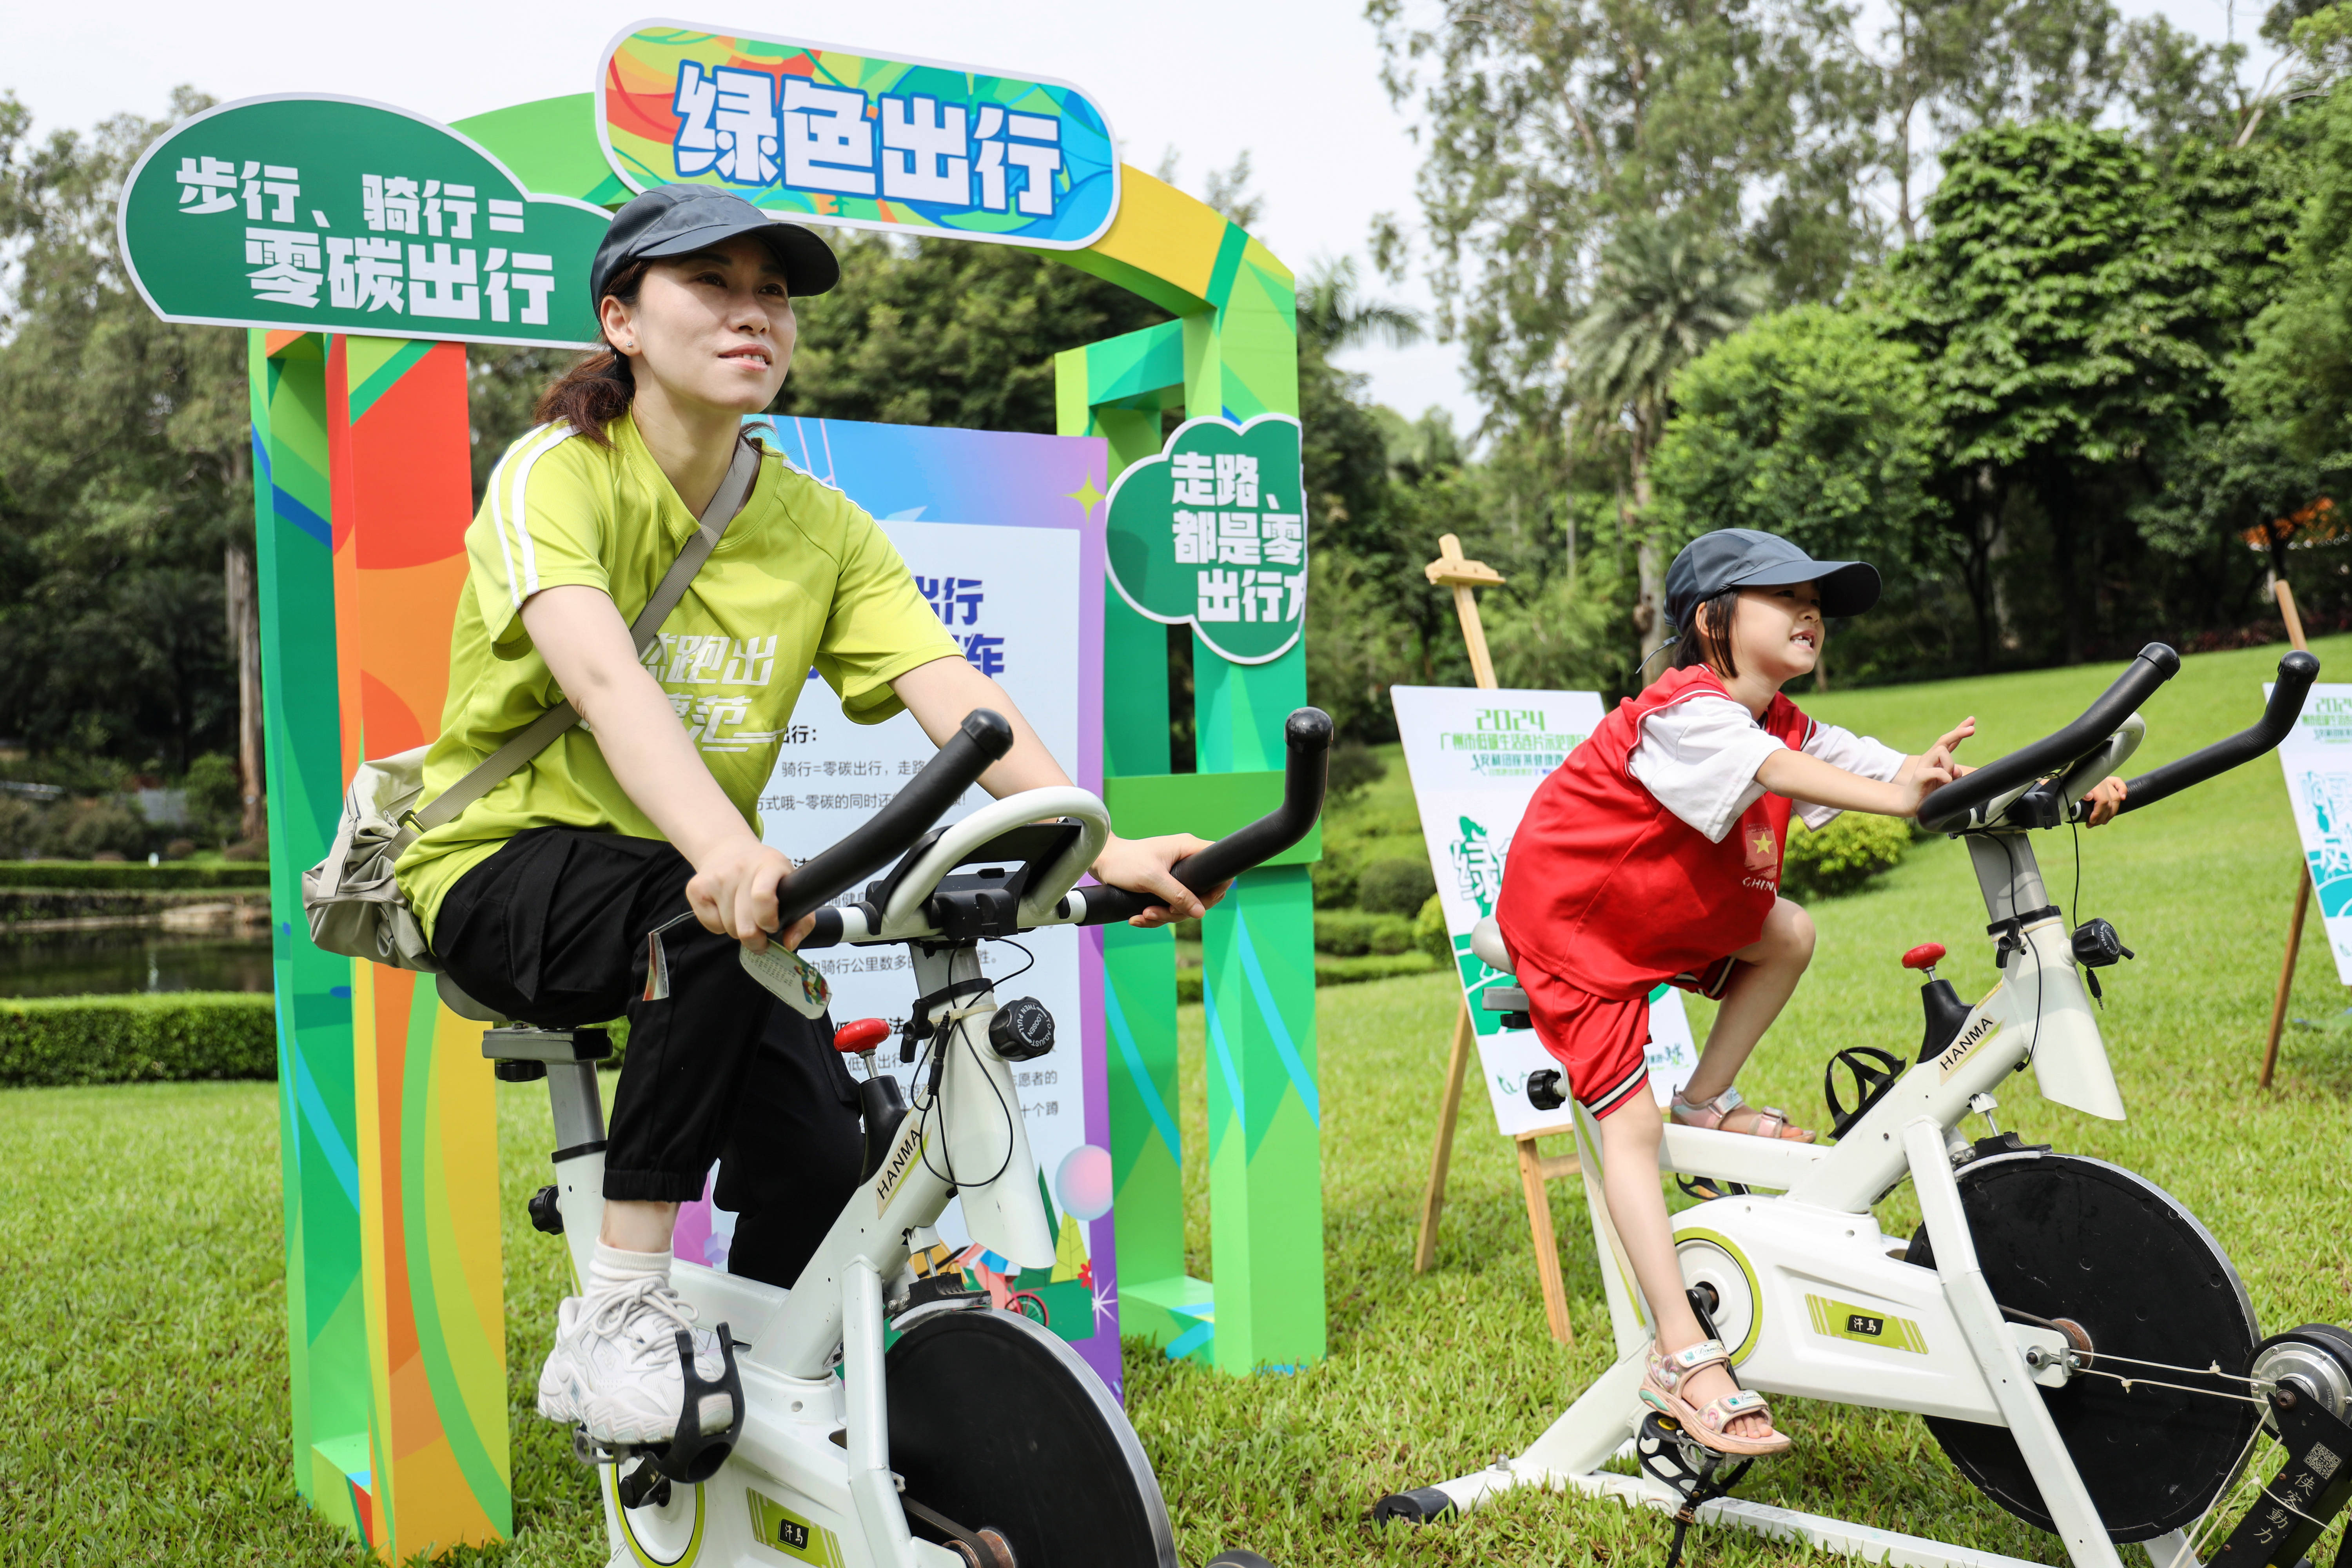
977, 1440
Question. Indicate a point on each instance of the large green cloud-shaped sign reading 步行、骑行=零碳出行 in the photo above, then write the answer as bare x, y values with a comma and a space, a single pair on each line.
333, 215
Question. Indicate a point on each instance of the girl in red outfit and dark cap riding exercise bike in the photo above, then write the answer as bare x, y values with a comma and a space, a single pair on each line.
1655, 857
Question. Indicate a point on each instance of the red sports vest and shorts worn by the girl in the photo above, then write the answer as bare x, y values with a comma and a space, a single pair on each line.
1608, 894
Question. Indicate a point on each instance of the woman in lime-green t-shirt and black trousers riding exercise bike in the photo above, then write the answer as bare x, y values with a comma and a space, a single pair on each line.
622, 869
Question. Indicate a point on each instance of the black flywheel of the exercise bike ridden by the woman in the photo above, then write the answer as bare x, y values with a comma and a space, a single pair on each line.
998, 1426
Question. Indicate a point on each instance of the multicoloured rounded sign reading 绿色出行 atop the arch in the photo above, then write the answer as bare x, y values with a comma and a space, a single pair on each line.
862, 142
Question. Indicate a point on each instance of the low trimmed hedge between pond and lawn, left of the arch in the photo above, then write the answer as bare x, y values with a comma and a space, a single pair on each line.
138, 1038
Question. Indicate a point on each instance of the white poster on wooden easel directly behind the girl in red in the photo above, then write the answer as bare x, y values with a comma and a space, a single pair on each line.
1476, 760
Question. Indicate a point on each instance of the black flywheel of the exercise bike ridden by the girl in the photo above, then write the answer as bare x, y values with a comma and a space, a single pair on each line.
2080, 1240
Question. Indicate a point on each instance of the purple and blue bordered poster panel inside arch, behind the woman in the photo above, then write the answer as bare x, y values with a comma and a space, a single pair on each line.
1005, 540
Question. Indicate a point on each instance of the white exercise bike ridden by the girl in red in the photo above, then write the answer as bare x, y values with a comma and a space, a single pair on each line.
2073, 1336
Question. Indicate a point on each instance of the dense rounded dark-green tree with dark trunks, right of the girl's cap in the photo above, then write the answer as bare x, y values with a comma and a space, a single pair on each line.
2059, 319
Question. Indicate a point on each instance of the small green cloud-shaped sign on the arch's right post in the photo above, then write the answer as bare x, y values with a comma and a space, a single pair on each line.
1215, 532
